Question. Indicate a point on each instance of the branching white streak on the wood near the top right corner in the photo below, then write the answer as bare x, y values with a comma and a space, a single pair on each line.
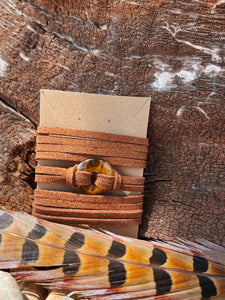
173, 30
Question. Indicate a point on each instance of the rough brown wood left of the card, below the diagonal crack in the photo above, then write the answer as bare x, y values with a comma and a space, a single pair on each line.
17, 141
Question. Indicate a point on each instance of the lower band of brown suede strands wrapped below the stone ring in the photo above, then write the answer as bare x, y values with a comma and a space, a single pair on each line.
71, 208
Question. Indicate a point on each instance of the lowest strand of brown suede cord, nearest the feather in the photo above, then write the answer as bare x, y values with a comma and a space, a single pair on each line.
89, 221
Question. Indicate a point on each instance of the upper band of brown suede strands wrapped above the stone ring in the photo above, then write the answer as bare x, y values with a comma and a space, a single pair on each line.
77, 145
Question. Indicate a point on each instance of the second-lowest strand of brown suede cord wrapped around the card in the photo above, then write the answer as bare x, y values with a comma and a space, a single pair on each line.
85, 213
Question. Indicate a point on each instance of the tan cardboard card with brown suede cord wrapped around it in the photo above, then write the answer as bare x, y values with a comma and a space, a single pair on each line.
112, 114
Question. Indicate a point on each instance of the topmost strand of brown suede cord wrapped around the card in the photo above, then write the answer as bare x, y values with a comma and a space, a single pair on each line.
92, 135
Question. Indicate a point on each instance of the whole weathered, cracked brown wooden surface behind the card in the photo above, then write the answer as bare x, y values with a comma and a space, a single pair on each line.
172, 51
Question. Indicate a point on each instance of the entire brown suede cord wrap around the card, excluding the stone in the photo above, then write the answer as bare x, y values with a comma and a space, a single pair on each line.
55, 143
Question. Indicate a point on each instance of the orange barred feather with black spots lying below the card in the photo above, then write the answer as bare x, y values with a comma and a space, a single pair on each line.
103, 265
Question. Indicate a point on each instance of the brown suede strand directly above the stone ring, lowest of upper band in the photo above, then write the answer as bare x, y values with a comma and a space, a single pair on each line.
78, 157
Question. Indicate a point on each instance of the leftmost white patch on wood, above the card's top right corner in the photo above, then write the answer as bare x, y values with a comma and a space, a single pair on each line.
163, 81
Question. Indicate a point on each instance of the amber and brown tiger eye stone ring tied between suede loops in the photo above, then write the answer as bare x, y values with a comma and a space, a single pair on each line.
95, 166
